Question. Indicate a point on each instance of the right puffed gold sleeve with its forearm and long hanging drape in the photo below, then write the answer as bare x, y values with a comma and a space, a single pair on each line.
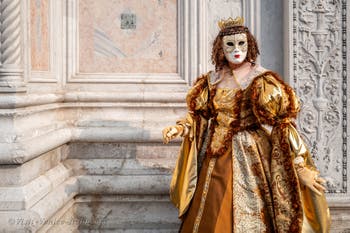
274, 103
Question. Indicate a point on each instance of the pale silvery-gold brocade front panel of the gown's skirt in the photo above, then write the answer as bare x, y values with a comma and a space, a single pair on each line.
252, 204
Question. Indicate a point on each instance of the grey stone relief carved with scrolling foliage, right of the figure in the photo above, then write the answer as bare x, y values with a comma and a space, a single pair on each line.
319, 76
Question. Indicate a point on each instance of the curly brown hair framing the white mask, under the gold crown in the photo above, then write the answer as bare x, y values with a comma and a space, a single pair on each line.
218, 57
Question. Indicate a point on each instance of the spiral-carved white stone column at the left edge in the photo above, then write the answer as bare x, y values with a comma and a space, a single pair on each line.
11, 63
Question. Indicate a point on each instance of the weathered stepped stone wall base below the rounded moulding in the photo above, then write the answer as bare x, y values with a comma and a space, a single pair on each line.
100, 187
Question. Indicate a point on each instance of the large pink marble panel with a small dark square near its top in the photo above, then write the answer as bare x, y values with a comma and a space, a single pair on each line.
128, 36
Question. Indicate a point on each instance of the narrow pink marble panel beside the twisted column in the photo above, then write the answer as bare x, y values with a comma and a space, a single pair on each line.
39, 35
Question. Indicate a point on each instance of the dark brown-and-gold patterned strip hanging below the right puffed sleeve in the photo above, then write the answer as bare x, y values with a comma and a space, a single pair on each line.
285, 183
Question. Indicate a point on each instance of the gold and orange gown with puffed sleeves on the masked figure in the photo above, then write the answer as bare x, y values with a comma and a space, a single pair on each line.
233, 175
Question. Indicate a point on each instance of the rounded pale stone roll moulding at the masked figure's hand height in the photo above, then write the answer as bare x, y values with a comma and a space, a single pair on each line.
24, 151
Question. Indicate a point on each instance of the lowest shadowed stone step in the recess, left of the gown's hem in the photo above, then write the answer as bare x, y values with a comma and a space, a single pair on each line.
131, 212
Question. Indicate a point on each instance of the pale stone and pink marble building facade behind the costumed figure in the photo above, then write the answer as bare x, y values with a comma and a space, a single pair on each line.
87, 86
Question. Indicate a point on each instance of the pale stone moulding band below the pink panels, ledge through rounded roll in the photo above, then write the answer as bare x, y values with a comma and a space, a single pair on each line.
24, 142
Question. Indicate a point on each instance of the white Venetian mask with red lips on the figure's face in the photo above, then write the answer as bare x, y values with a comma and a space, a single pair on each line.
235, 47
